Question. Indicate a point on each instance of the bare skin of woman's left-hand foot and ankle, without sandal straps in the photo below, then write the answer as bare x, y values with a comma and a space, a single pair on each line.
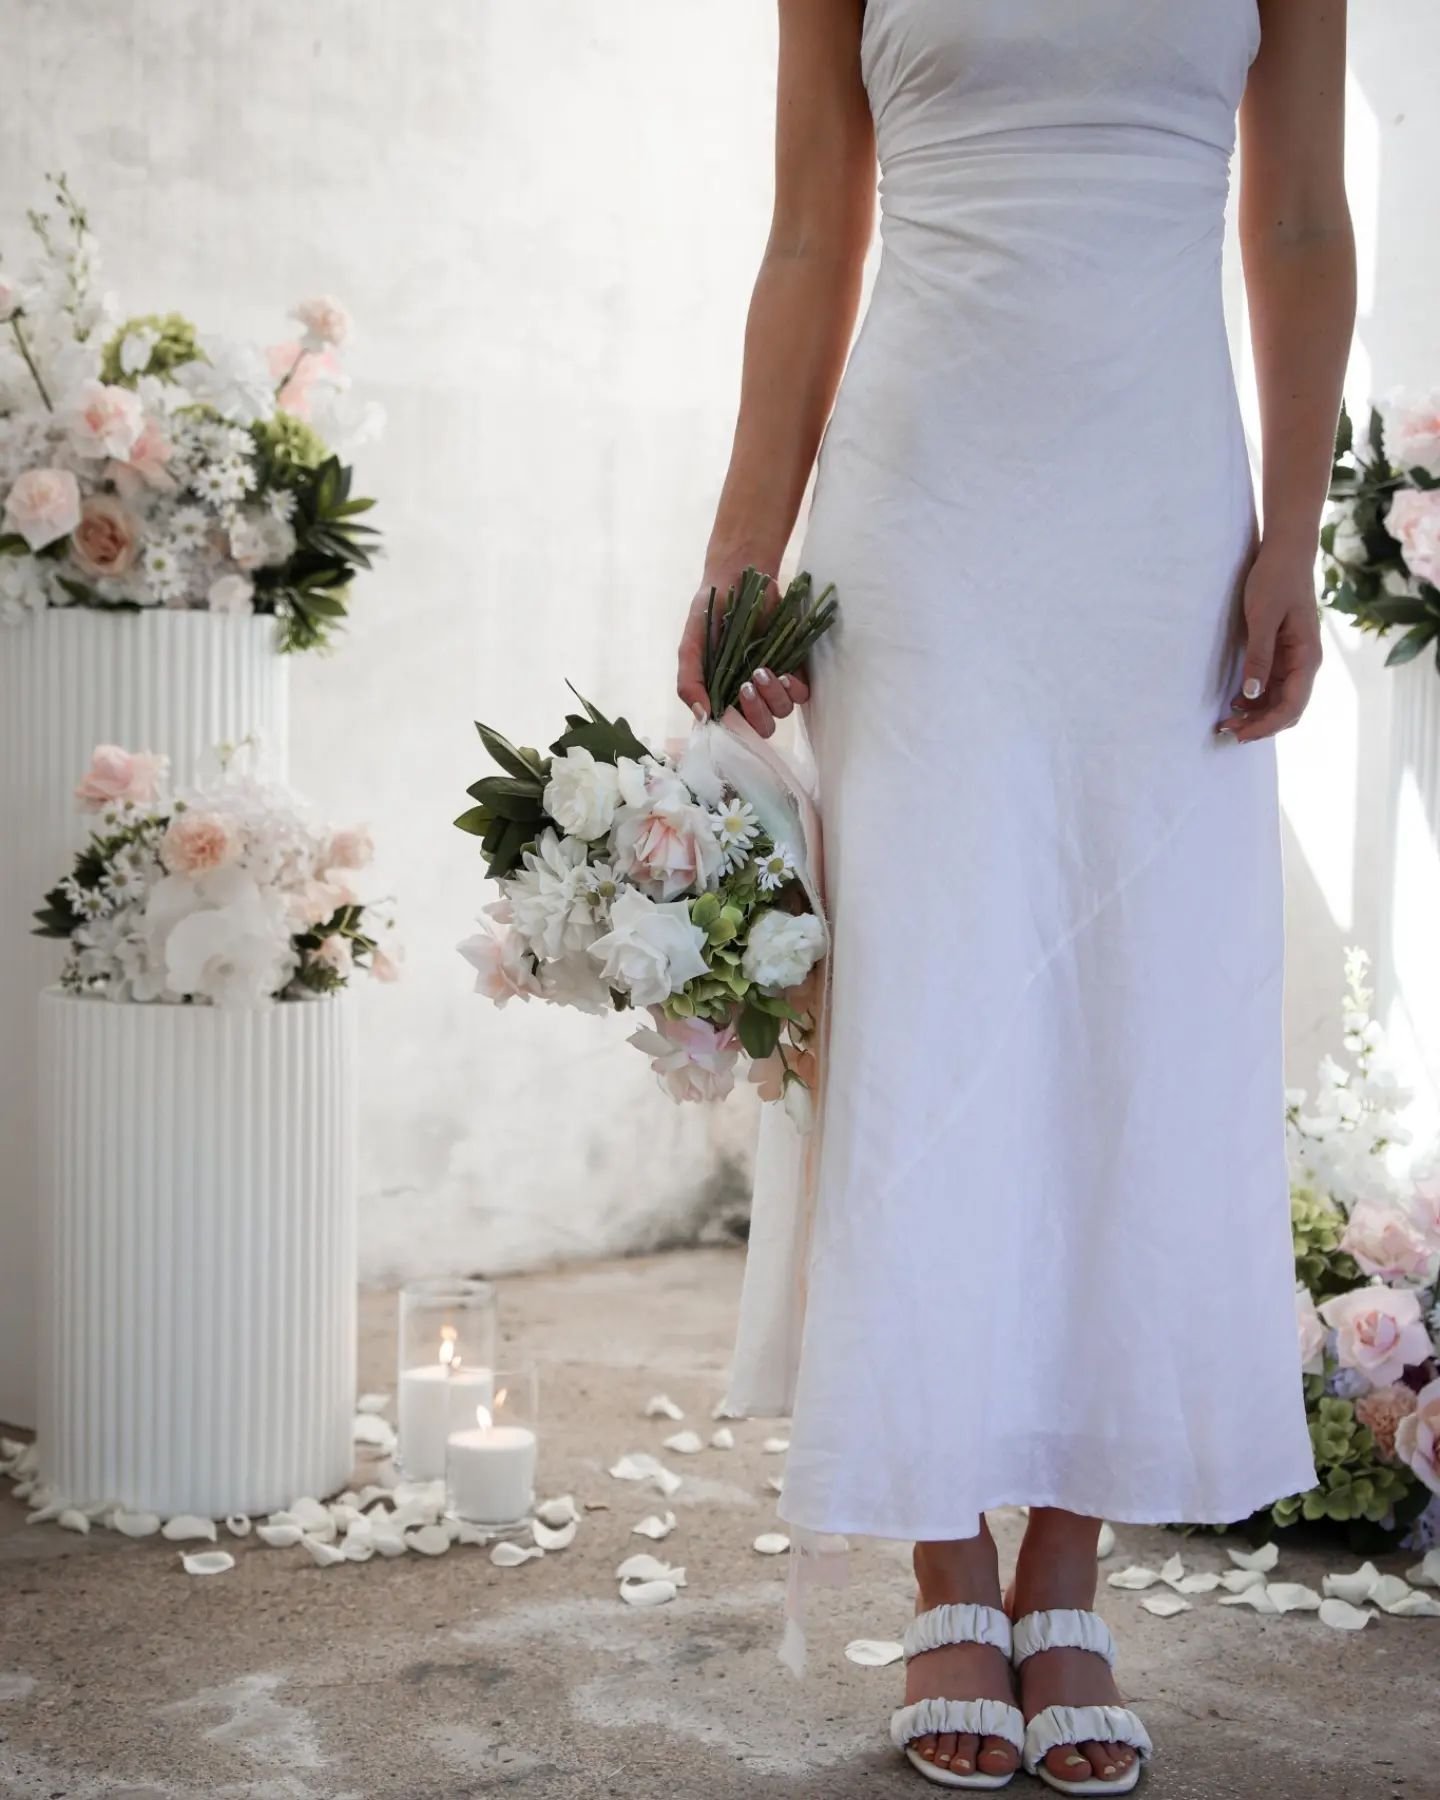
957, 1574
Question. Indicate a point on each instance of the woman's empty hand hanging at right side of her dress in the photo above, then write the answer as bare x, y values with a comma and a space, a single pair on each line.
1282, 647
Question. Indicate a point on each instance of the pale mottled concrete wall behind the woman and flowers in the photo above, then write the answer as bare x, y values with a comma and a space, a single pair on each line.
546, 217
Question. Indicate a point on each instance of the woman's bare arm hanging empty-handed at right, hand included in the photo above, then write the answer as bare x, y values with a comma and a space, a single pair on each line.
1300, 278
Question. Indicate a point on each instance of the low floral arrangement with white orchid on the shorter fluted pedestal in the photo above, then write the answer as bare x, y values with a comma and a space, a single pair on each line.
229, 895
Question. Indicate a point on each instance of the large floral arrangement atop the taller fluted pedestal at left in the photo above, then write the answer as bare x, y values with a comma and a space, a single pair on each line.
148, 465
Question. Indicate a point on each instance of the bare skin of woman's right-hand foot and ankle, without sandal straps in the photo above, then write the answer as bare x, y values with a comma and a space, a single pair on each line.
1057, 1569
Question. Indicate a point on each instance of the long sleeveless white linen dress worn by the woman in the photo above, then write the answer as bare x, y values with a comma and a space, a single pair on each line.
1045, 1255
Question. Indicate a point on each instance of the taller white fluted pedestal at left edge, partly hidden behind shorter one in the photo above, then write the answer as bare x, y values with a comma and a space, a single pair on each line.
159, 681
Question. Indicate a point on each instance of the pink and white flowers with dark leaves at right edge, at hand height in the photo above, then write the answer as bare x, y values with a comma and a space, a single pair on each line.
1381, 543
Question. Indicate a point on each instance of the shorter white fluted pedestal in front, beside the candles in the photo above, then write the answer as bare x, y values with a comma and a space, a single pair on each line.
199, 1268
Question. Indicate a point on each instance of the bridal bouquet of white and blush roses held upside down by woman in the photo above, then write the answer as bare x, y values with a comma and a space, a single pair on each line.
676, 885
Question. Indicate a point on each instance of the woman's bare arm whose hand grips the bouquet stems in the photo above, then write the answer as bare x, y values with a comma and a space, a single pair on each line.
802, 316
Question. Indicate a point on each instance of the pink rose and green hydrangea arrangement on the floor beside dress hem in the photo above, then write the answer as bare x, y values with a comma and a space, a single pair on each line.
1367, 1264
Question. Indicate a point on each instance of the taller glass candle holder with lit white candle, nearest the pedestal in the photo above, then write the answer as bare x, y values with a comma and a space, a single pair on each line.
447, 1360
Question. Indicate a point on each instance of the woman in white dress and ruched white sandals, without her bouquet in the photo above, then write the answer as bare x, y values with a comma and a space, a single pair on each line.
1050, 1255
